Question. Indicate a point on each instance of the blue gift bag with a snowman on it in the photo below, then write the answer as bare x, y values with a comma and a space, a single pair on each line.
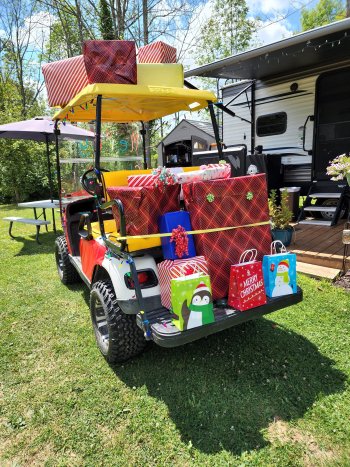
280, 271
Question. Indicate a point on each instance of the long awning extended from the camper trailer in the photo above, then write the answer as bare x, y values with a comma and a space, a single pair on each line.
310, 50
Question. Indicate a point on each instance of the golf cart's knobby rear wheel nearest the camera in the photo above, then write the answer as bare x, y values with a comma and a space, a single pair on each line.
117, 334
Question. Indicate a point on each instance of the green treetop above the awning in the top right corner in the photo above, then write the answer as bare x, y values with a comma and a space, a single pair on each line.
325, 12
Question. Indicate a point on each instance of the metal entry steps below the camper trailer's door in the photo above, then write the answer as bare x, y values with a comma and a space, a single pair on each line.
331, 210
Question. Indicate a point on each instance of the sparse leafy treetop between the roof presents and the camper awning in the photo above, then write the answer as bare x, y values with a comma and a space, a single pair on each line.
227, 32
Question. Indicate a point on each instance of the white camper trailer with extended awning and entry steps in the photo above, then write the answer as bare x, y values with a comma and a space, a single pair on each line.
289, 102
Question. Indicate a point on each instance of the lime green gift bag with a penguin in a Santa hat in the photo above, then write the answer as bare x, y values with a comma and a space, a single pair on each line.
191, 301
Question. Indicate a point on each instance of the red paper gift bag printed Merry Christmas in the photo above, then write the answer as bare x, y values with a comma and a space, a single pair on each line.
246, 289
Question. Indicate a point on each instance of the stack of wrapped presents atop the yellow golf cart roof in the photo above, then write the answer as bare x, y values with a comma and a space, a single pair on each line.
113, 62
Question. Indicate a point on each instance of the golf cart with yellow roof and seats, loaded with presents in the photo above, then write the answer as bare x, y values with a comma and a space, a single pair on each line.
121, 269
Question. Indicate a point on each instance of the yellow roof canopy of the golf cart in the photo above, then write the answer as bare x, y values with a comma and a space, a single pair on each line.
132, 103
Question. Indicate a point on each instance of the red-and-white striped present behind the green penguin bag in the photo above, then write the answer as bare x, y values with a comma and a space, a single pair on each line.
168, 270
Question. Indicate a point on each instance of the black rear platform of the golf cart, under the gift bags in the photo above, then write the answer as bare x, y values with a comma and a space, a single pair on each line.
166, 334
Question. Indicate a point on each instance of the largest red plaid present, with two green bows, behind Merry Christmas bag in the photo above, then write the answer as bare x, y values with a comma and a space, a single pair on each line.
227, 203
